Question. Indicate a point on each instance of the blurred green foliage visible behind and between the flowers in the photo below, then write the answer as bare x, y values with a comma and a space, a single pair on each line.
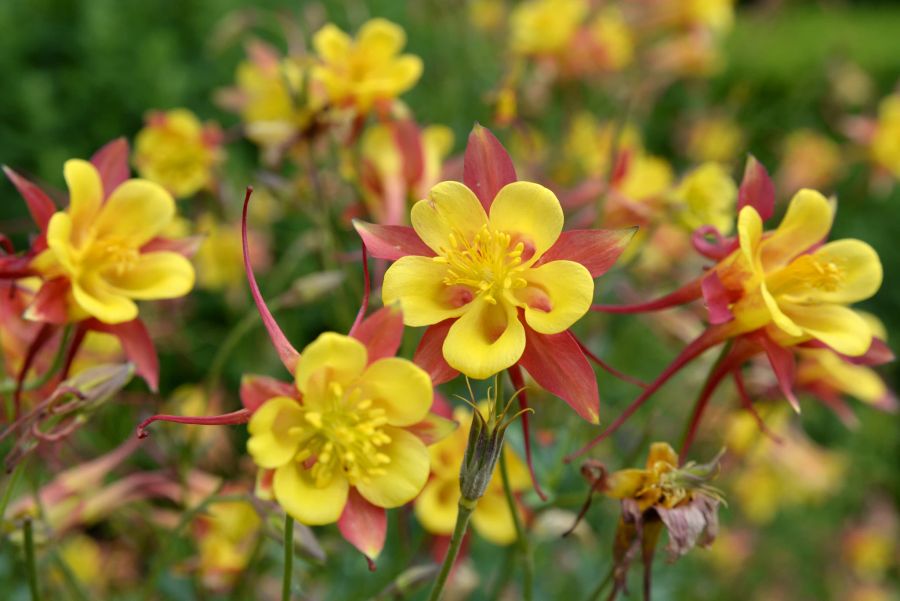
75, 74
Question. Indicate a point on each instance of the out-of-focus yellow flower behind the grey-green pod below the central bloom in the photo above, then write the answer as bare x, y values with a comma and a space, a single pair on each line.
437, 505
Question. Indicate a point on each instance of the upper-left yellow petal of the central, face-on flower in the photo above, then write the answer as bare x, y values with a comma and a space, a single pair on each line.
451, 209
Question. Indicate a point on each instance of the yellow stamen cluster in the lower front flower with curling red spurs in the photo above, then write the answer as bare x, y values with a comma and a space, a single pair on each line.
346, 435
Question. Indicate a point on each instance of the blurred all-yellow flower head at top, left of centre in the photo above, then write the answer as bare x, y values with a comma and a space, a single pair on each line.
368, 69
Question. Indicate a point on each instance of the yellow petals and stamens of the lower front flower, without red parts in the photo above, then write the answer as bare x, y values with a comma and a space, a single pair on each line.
349, 430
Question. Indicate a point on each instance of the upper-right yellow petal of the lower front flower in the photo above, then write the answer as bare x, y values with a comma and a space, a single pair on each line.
400, 387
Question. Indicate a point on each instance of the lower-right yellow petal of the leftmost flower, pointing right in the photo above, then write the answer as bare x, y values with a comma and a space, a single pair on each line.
155, 275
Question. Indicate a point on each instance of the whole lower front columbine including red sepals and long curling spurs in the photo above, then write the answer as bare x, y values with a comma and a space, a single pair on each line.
349, 437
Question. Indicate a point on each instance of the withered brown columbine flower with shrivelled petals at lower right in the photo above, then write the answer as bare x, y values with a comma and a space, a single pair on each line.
662, 495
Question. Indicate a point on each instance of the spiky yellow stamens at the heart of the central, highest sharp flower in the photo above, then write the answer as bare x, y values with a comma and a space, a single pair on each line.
487, 265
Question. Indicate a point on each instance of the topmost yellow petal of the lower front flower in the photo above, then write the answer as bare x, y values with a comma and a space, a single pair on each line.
341, 358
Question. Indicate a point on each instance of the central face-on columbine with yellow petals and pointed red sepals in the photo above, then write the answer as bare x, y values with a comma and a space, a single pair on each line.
487, 266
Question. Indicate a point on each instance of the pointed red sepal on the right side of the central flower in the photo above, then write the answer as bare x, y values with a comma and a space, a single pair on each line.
597, 250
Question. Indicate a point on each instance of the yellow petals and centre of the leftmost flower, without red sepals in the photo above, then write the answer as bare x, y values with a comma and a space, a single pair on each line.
98, 244
